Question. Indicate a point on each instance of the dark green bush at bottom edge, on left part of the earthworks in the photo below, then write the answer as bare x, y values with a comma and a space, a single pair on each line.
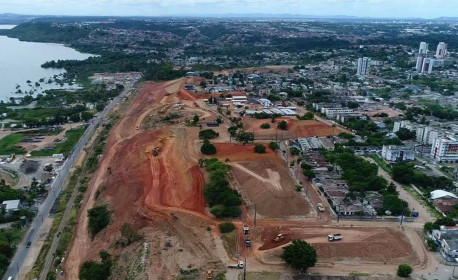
91, 270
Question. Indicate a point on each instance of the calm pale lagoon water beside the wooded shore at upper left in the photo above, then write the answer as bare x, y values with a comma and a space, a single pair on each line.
21, 61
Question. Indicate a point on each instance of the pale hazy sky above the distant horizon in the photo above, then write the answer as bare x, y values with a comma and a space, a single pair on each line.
362, 8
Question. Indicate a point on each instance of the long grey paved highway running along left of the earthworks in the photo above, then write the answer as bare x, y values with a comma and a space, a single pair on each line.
57, 185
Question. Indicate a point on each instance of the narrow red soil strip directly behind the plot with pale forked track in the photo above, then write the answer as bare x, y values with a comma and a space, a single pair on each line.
236, 152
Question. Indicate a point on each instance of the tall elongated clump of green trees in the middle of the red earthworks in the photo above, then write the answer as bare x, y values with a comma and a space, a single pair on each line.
224, 201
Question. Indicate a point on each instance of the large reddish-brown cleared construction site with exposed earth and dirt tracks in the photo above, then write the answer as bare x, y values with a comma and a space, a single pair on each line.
150, 177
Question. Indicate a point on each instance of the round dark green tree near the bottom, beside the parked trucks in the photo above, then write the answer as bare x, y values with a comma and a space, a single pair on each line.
299, 255
